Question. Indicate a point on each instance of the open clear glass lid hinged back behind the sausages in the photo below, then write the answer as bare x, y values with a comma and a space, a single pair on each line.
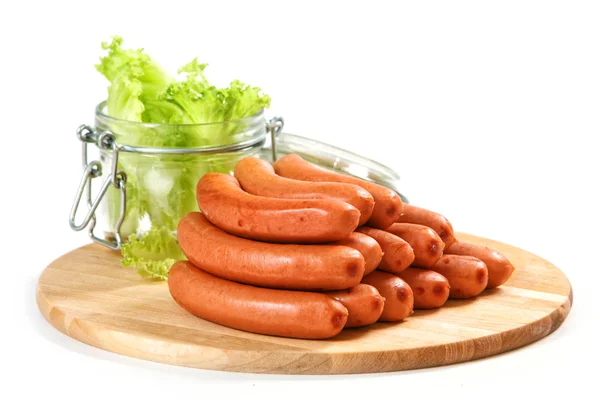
334, 159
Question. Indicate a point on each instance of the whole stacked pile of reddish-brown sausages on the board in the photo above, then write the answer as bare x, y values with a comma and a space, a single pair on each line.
293, 250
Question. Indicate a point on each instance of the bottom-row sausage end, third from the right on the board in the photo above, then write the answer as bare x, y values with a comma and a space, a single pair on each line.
430, 289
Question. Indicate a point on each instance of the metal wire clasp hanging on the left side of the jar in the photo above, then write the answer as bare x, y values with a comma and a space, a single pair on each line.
91, 170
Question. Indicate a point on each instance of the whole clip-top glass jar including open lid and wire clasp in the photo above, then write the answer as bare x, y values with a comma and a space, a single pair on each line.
151, 170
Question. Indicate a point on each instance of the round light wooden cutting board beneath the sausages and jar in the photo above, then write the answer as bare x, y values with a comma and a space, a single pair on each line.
89, 296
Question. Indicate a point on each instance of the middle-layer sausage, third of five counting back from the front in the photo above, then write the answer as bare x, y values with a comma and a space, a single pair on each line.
397, 254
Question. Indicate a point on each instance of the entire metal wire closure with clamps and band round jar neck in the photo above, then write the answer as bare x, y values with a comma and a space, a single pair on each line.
93, 169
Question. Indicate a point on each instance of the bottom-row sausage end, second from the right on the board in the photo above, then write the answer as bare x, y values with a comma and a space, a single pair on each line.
468, 276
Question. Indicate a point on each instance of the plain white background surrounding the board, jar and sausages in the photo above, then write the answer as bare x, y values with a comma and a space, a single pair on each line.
488, 110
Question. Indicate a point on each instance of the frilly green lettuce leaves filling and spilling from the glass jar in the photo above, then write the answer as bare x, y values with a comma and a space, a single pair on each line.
161, 188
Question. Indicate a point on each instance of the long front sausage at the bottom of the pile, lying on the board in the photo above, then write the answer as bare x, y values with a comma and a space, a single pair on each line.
304, 315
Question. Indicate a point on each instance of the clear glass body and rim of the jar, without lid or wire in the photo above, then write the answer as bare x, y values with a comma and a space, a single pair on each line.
160, 188
